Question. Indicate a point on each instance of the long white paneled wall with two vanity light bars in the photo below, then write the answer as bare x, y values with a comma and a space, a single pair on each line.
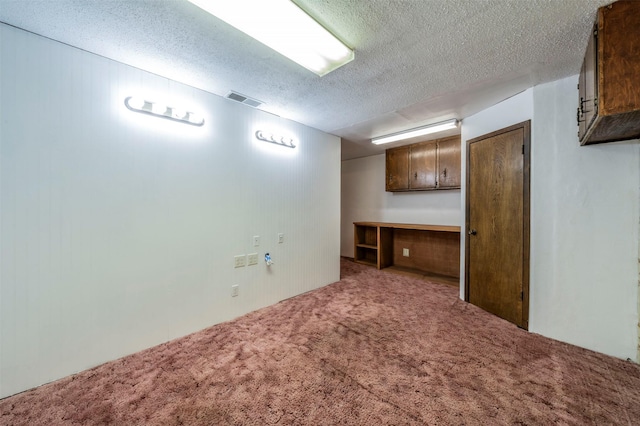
118, 230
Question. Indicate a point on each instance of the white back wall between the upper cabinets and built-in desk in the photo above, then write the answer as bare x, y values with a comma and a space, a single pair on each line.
364, 199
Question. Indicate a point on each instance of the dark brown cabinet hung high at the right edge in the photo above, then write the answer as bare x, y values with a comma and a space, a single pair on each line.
609, 82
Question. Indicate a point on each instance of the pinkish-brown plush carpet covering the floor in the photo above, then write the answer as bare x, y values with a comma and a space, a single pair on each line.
375, 348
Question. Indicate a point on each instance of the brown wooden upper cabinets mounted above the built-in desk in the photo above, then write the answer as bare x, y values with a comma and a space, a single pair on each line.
424, 166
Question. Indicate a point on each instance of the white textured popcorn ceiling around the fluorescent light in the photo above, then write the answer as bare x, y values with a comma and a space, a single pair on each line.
416, 61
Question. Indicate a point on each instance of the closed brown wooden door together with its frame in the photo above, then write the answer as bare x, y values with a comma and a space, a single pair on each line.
497, 243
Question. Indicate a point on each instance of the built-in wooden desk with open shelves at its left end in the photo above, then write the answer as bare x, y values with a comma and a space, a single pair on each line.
431, 249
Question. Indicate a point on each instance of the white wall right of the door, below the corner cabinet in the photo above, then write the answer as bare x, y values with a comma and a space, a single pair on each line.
584, 239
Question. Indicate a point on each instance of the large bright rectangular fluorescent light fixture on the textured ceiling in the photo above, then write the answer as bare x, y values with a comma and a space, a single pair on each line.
284, 27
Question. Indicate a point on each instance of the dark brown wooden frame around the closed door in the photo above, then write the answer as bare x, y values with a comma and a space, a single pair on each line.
526, 213
